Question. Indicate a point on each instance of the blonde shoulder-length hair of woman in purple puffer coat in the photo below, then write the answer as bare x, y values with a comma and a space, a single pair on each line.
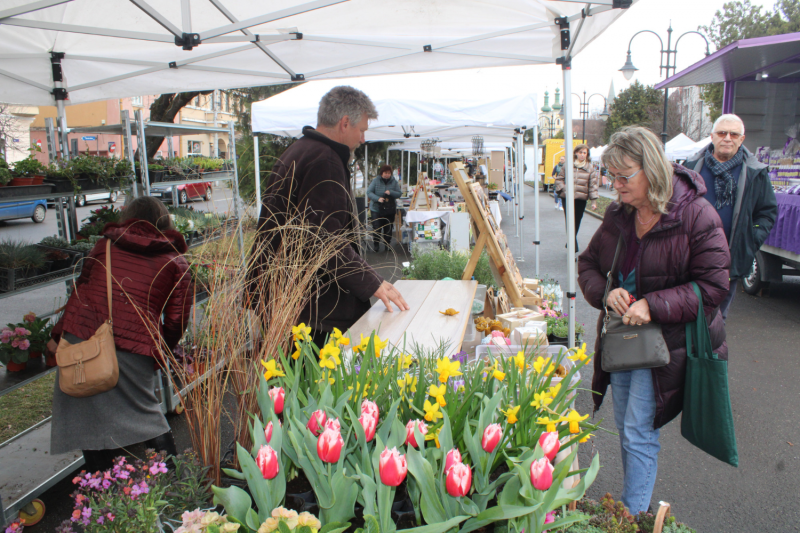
642, 147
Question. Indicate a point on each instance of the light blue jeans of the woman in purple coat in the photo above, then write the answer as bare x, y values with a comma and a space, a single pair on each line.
634, 411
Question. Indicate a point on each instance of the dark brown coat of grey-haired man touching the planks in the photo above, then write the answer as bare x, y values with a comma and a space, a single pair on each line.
312, 177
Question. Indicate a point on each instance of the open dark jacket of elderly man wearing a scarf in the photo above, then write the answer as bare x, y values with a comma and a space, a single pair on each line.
754, 212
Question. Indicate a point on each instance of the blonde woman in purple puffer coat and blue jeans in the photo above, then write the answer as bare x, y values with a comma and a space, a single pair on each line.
671, 237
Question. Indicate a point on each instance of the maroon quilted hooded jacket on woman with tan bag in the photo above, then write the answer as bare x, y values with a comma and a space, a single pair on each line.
150, 277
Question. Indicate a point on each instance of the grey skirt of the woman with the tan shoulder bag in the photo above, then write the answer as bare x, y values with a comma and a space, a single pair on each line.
127, 414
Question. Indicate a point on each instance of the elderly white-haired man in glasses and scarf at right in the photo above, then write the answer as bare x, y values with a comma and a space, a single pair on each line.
740, 189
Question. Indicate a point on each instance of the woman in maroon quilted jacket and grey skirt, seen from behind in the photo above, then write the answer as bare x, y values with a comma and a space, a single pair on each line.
151, 298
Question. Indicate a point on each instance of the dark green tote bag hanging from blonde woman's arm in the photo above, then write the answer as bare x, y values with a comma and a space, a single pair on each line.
707, 420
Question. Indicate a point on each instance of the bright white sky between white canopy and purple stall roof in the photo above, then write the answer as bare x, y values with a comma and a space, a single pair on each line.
599, 63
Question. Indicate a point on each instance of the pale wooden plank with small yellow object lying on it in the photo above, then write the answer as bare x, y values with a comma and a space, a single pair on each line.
430, 327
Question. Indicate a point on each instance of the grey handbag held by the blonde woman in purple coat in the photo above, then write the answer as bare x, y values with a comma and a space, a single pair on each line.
625, 347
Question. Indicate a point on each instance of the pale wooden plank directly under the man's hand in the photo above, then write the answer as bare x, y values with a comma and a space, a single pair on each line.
393, 325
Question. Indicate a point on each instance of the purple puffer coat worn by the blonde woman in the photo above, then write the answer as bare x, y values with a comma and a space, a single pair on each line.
688, 244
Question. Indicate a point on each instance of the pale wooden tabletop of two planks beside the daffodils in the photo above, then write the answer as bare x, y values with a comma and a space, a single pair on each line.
422, 325
